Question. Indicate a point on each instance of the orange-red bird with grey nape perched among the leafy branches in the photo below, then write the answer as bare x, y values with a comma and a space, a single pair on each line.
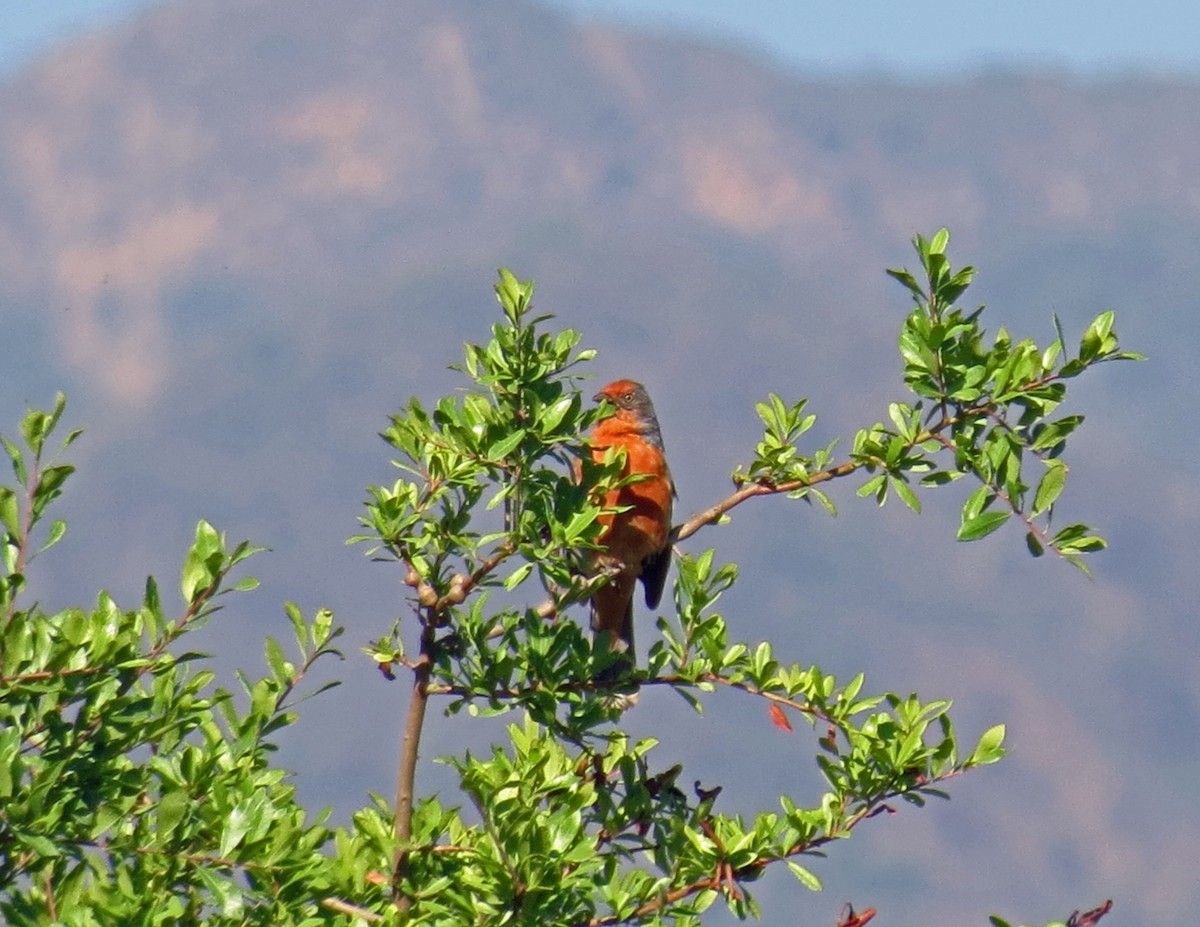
637, 542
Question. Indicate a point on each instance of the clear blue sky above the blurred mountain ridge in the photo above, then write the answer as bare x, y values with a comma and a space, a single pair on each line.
917, 37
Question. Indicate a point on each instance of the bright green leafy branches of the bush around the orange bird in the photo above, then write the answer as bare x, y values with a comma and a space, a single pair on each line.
136, 791
